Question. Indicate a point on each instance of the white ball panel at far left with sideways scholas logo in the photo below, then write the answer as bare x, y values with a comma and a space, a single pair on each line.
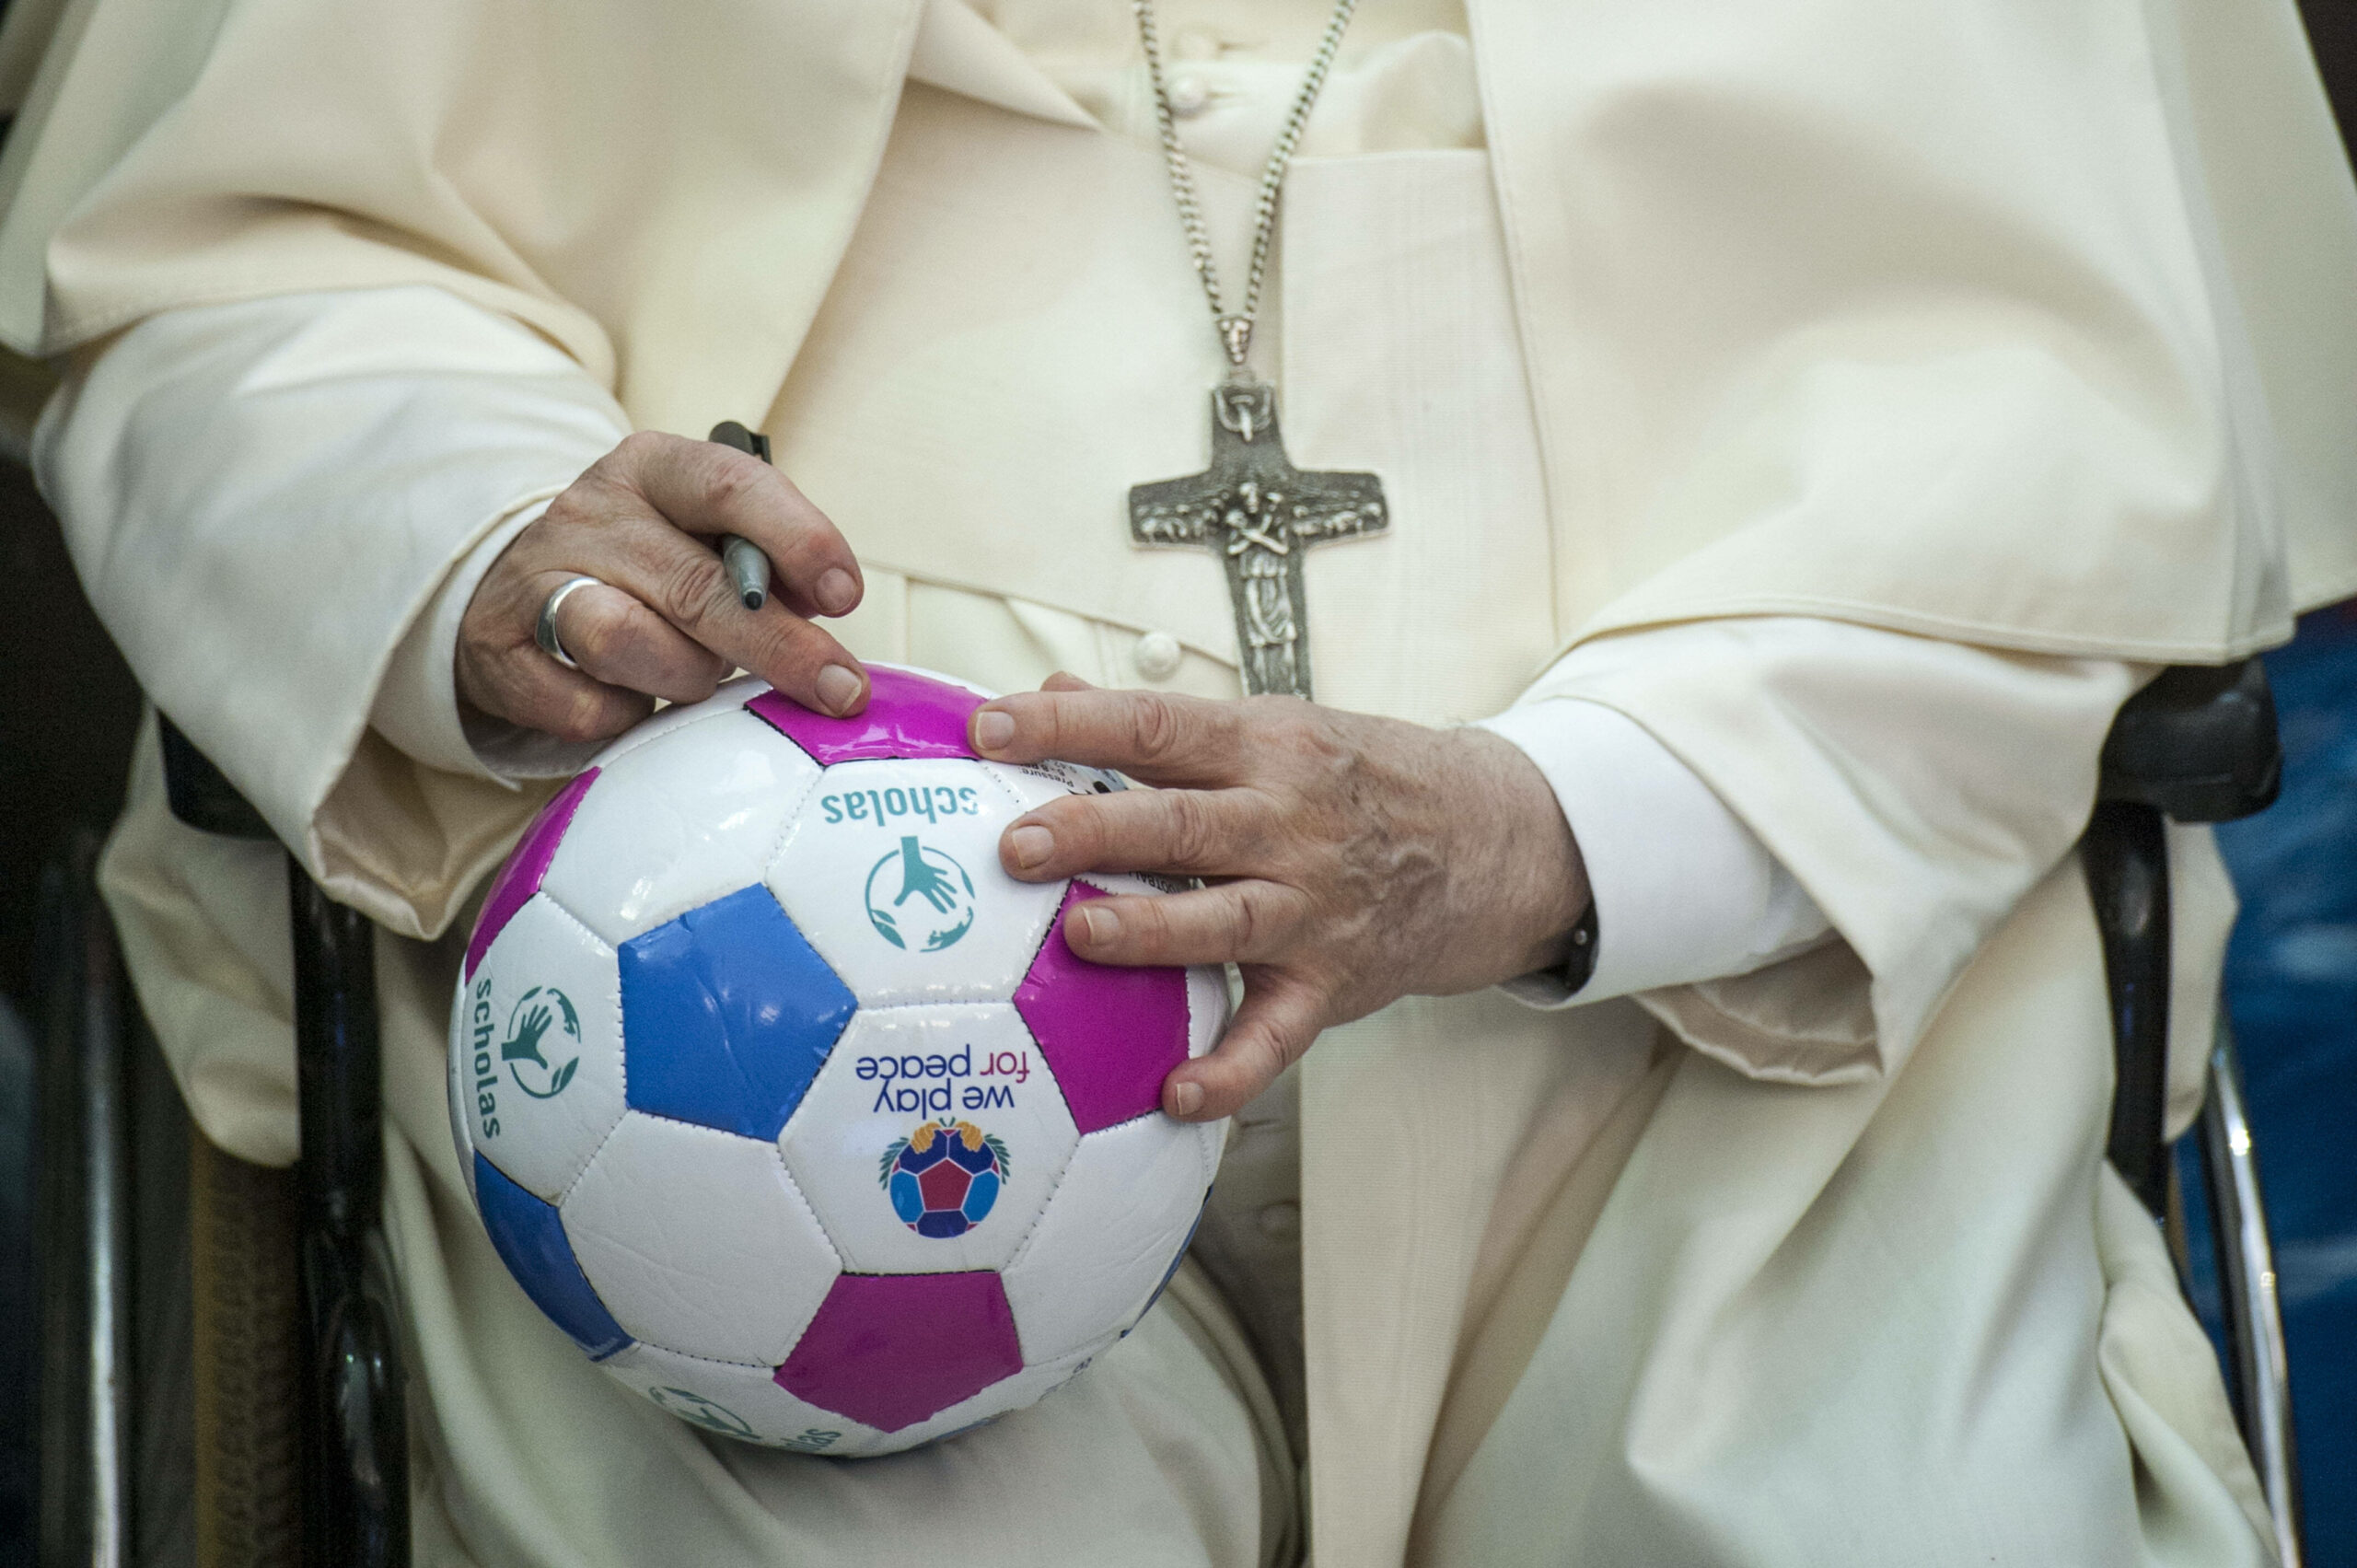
539, 1050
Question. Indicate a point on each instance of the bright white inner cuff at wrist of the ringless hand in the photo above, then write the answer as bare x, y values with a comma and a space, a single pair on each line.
1684, 892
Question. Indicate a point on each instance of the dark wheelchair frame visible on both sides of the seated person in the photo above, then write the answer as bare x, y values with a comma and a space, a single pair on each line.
2198, 746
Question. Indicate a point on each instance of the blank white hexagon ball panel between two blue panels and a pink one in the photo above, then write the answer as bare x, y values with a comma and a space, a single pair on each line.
699, 1241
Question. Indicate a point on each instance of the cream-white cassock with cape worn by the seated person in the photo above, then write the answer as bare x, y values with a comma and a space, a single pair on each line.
1800, 440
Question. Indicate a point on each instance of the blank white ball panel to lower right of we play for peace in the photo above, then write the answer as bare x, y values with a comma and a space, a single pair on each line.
1109, 1237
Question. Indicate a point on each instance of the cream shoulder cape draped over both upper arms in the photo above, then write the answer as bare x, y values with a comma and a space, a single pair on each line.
2021, 324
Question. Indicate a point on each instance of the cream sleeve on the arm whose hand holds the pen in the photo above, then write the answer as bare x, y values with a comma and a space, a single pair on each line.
265, 499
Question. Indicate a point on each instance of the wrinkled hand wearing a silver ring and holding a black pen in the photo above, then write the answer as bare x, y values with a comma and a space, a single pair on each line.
666, 624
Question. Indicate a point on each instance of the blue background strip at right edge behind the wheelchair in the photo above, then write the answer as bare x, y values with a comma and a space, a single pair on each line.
2292, 994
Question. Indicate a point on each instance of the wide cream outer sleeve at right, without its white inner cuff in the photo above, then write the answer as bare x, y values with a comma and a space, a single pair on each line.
1917, 836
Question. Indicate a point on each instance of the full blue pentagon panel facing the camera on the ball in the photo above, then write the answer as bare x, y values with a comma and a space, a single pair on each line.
727, 1017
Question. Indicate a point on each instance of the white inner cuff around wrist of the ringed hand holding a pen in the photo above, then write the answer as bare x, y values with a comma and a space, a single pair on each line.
418, 699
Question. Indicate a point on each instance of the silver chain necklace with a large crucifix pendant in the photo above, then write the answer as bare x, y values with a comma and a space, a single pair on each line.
1253, 506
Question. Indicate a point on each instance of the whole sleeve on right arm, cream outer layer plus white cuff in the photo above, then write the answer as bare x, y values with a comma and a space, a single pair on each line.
1778, 772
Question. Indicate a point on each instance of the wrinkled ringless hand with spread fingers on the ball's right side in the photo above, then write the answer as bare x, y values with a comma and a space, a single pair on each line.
1349, 859
